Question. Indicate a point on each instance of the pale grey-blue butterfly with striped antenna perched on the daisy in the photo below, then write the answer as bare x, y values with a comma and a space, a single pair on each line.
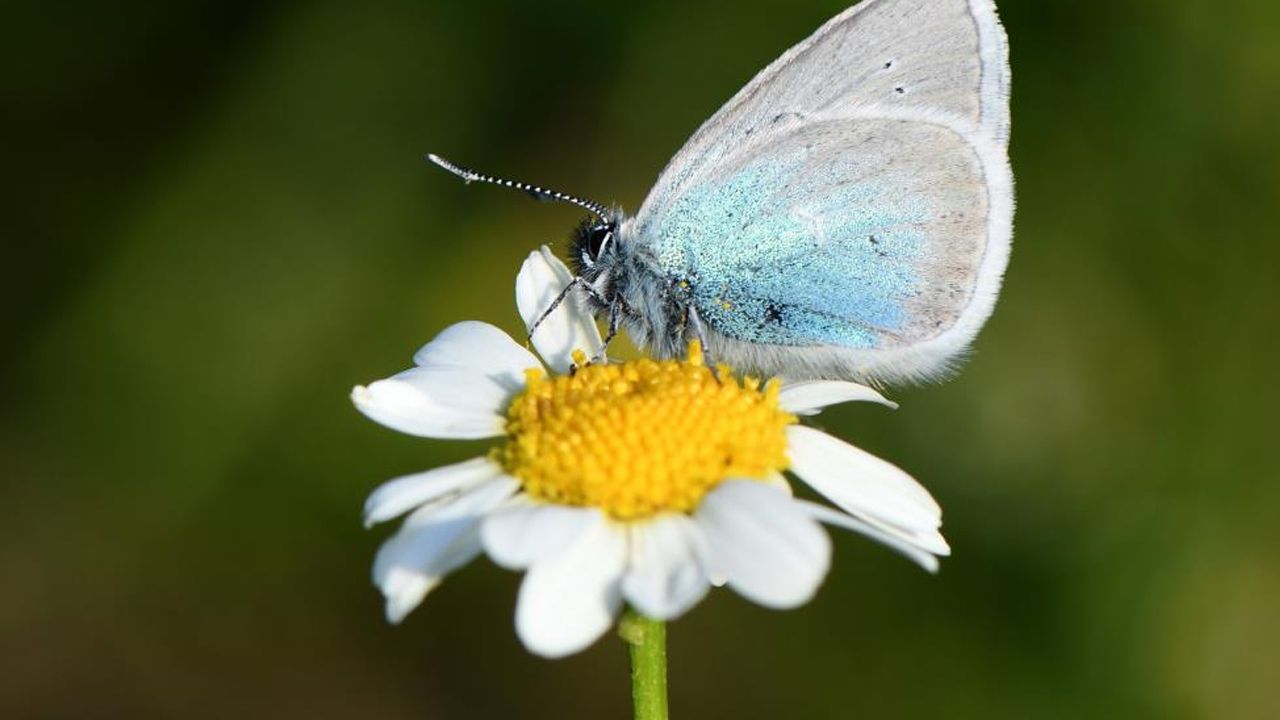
848, 215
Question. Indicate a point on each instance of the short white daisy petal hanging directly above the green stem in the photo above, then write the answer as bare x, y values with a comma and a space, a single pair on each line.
665, 577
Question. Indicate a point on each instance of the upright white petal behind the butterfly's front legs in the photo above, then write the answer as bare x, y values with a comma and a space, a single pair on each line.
542, 279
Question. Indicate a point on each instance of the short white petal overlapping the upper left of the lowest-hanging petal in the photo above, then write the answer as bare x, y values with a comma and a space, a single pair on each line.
523, 534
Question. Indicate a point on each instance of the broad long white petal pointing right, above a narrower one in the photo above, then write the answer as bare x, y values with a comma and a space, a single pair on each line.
860, 482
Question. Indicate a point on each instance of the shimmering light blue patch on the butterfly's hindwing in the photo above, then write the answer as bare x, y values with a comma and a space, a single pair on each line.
775, 259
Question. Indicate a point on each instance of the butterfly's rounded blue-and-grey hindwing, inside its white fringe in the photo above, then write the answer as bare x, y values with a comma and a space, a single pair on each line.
778, 253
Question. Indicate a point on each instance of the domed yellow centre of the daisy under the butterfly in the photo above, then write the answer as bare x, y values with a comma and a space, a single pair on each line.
642, 438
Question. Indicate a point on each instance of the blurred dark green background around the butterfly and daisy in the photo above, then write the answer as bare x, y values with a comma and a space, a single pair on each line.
217, 220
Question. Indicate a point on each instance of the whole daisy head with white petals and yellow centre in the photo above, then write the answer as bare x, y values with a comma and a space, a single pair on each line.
638, 484
